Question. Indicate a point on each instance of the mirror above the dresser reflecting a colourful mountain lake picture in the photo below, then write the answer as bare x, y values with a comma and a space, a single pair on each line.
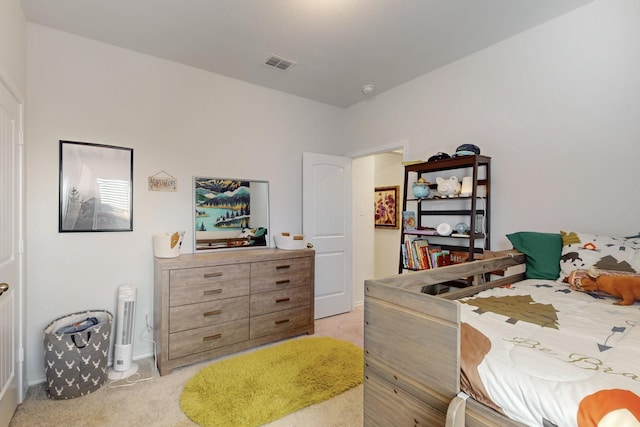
230, 213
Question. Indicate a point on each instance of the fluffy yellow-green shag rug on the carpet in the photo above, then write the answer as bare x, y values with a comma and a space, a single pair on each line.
259, 387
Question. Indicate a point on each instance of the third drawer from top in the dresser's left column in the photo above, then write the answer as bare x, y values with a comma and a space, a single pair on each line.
193, 316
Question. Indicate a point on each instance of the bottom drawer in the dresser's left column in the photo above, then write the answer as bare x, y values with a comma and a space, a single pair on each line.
198, 340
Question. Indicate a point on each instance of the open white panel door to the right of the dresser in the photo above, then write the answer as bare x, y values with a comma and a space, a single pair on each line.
326, 222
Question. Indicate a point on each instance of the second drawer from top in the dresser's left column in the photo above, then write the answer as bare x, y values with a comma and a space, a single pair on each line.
182, 295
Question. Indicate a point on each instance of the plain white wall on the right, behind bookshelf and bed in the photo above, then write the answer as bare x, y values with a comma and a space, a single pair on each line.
556, 107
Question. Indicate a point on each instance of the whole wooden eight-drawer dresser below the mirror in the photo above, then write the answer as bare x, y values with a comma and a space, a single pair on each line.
210, 304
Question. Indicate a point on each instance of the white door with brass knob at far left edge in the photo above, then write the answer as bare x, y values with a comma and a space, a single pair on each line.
10, 223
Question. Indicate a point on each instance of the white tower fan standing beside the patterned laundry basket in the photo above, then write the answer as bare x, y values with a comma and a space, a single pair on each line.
123, 365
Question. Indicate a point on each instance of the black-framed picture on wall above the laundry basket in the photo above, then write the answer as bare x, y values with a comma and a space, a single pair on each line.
96, 188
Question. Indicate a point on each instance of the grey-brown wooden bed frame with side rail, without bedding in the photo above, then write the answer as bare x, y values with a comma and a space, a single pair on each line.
412, 345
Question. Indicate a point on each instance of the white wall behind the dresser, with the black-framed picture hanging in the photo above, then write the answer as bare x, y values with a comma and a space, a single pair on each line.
178, 119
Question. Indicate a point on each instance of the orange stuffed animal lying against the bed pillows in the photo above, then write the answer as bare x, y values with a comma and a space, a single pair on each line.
626, 287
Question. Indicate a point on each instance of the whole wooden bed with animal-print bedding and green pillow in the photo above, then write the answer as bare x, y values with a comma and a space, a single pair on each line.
535, 351
